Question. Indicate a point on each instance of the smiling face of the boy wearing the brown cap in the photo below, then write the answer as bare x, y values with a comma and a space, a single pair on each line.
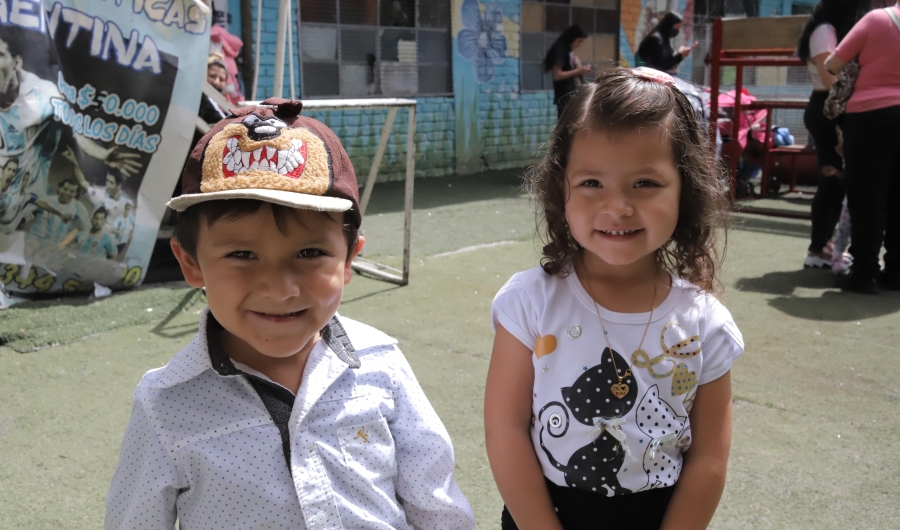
271, 291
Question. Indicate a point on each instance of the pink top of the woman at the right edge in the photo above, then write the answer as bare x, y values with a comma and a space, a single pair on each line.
876, 40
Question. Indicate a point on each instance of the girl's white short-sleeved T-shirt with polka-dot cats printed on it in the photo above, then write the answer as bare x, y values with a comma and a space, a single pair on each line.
578, 425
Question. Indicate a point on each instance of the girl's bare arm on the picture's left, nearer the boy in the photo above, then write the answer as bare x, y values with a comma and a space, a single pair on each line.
507, 427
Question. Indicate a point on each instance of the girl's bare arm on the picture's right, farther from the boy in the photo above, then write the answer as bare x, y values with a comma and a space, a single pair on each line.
702, 479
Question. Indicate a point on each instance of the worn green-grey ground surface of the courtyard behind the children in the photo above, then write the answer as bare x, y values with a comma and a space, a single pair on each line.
815, 392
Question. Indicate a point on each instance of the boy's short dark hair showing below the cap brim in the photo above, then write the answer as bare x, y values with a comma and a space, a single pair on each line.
188, 227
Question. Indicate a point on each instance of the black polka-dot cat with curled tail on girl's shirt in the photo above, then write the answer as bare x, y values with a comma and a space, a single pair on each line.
594, 466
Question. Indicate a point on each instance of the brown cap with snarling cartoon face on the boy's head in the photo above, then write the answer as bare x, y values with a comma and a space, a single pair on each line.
271, 153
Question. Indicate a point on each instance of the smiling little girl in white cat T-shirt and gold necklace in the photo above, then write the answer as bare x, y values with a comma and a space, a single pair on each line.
608, 399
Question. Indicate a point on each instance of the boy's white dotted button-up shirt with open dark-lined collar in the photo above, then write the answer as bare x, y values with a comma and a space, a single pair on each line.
367, 449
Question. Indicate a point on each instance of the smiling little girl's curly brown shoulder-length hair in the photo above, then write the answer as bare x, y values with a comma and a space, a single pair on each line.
620, 101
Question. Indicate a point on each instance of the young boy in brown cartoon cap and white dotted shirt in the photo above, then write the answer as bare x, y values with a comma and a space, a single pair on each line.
280, 413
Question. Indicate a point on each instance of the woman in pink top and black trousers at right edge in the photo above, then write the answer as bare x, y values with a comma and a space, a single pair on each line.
871, 126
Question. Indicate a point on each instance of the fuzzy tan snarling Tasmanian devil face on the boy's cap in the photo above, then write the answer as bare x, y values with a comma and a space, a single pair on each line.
264, 153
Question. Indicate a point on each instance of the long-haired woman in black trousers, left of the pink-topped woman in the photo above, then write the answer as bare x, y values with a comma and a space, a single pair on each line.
828, 24
